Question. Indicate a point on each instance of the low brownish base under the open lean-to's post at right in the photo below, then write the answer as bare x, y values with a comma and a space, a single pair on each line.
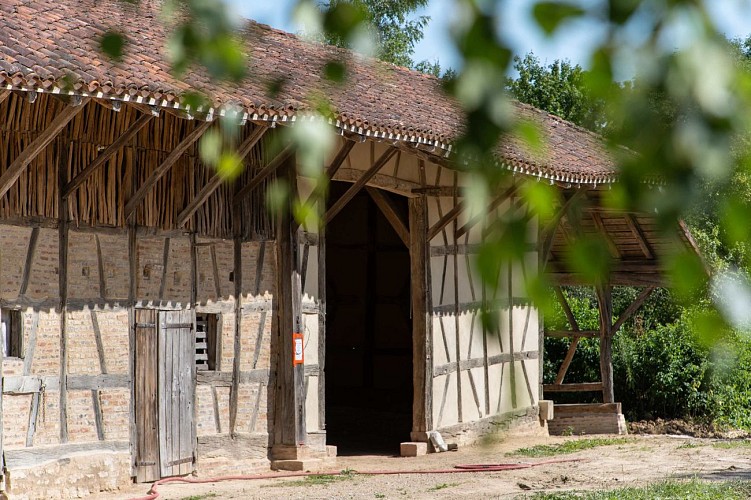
580, 419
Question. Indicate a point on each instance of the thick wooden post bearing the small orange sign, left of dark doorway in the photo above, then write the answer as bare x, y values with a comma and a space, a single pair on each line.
289, 399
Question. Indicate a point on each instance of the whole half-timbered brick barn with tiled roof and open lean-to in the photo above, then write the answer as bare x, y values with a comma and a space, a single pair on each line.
159, 321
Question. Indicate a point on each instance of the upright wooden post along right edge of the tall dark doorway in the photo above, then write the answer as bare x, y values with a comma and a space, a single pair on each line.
422, 362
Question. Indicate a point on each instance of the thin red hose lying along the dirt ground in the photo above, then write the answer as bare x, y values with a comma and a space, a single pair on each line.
153, 494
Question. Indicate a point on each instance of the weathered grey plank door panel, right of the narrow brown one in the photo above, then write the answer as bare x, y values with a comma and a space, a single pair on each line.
176, 392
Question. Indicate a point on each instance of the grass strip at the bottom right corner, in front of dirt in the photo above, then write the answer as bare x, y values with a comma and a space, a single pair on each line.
667, 490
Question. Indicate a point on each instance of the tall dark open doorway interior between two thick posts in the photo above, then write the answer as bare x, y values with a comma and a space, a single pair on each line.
368, 328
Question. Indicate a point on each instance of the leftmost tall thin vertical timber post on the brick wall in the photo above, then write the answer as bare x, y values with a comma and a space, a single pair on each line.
63, 284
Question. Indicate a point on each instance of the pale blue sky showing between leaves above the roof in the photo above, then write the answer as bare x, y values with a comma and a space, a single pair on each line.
518, 28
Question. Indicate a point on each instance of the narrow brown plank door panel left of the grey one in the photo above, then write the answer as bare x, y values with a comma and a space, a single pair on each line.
145, 396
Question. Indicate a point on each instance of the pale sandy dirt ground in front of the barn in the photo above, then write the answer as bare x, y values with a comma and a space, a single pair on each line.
641, 460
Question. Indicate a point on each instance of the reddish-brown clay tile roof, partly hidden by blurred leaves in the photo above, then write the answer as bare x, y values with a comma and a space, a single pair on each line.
47, 45
